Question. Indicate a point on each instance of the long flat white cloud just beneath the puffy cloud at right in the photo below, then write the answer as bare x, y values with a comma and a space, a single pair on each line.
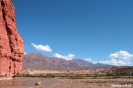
116, 62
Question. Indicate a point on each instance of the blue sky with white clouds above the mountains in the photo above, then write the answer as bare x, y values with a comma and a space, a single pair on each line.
93, 30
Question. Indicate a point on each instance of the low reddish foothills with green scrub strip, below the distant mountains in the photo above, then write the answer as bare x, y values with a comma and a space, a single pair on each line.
110, 73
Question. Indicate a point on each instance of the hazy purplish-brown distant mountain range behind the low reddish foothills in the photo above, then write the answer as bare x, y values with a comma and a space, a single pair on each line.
40, 62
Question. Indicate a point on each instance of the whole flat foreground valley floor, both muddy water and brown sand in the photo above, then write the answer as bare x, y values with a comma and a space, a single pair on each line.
68, 83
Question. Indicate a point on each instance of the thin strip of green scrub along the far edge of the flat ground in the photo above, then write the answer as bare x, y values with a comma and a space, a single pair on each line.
77, 76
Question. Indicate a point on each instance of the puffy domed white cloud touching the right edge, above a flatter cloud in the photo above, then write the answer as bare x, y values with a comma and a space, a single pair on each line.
121, 55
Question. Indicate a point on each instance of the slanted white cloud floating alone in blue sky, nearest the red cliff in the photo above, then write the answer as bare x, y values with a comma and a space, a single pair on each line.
42, 48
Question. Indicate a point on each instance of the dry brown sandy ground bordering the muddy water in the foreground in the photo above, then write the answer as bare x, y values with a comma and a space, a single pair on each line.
85, 83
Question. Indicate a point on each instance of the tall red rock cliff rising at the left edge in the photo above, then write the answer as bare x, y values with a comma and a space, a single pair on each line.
11, 43
